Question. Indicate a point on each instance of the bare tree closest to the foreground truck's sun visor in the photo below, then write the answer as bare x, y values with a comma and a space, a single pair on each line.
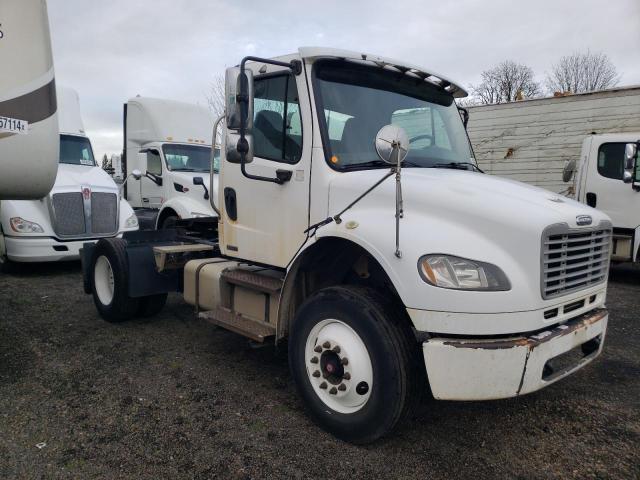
507, 82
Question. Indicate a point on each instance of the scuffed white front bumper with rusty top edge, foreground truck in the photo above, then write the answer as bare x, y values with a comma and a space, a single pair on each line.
485, 369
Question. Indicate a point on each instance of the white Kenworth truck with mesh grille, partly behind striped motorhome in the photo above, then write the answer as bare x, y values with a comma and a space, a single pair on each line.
84, 204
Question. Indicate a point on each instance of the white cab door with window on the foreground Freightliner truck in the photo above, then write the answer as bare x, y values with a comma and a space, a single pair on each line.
264, 222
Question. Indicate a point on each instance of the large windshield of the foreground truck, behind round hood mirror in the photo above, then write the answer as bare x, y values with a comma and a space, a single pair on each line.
359, 100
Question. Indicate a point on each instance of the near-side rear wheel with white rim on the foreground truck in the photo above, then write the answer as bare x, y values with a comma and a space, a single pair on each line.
110, 281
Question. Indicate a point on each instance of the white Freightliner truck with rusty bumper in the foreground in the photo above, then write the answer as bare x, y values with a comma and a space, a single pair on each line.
385, 259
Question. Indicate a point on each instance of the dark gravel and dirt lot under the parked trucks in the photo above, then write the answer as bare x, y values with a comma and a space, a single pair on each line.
172, 397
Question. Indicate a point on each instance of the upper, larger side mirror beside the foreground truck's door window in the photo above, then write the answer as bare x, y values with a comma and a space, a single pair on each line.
238, 90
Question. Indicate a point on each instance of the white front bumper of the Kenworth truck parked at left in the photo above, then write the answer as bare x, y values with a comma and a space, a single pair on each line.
43, 249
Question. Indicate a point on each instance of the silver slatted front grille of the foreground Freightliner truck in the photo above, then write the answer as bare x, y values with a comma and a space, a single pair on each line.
574, 259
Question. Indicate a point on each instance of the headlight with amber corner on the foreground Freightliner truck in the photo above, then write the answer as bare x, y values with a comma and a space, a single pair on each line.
447, 271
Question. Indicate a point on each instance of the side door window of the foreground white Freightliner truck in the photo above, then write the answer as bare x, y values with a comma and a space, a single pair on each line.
277, 125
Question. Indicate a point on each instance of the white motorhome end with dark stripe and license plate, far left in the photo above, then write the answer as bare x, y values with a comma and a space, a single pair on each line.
28, 110
